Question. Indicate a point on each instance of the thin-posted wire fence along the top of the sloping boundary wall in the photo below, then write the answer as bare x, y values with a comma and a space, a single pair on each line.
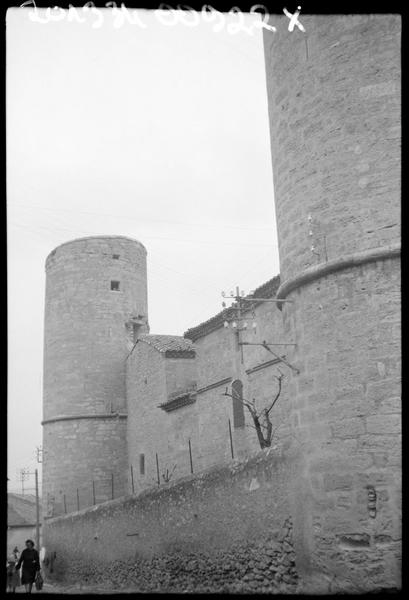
102, 488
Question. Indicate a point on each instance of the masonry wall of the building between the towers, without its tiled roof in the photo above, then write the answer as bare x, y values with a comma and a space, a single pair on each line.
152, 379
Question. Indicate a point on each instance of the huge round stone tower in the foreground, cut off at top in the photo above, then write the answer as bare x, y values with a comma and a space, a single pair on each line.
334, 110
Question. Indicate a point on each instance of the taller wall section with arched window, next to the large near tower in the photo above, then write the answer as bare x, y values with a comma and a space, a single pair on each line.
218, 357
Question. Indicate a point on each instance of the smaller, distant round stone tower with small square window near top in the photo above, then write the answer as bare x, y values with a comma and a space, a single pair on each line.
95, 307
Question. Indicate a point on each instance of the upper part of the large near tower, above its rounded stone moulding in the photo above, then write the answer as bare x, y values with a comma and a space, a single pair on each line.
335, 107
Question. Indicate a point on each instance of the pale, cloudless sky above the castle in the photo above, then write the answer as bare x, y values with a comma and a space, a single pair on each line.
159, 133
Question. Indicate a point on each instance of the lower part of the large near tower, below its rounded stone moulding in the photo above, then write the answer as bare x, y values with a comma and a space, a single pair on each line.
346, 420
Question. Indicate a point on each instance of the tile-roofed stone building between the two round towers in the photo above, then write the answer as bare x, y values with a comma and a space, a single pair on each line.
179, 420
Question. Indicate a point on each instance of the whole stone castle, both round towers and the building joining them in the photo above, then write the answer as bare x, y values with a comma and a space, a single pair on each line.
138, 409
